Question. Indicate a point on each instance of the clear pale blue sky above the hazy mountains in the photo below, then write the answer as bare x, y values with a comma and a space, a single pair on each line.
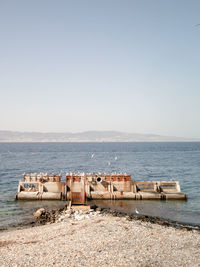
79, 65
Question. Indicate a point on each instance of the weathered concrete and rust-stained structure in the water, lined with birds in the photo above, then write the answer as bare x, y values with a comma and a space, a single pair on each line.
79, 187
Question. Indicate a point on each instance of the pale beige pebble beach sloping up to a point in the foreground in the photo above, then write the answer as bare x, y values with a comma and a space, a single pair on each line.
89, 238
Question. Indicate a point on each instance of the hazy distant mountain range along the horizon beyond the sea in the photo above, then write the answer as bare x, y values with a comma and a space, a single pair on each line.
89, 136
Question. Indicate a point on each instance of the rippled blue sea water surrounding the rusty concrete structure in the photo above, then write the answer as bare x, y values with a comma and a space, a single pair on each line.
144, 161
